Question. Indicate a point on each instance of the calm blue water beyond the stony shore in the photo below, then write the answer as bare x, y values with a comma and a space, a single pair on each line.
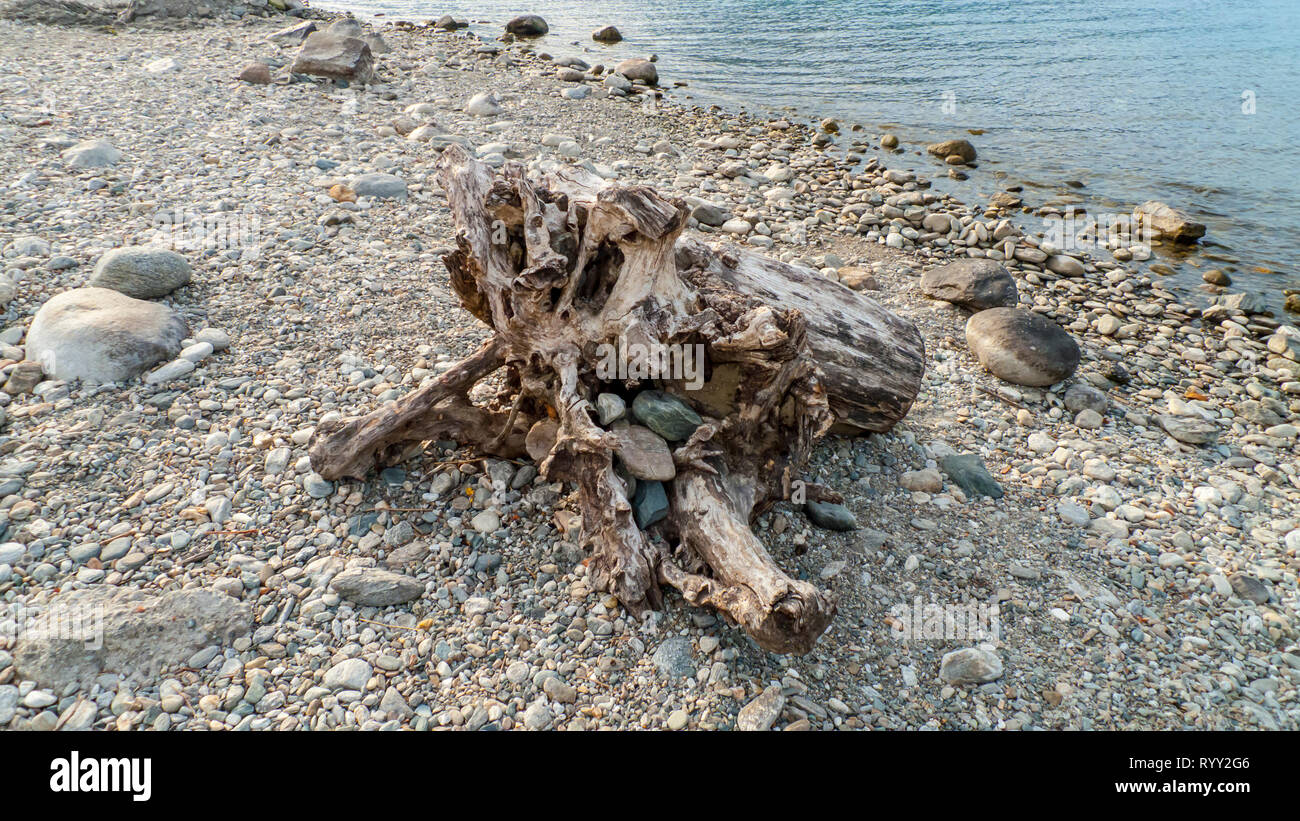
1138, 99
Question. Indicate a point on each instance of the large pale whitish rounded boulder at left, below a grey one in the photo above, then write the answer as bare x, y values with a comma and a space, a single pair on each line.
102, 336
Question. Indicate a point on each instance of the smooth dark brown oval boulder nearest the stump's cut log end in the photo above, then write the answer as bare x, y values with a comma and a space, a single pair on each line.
1022, 347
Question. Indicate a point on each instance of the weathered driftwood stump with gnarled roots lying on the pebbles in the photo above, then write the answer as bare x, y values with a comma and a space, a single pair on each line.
571, 268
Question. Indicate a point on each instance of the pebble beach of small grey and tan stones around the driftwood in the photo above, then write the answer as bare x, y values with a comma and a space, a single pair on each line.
1139, 581
